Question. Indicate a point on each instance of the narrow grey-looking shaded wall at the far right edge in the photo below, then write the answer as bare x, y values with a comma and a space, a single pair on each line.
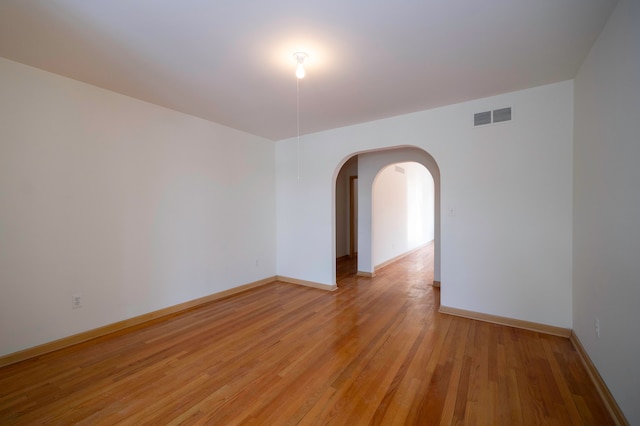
606, 282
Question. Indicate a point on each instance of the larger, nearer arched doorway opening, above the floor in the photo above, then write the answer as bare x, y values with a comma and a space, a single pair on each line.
372, 230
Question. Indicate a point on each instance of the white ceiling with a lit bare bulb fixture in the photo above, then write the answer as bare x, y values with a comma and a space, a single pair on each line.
230, 61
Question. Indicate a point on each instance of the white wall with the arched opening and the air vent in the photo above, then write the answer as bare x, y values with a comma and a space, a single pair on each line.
506, 249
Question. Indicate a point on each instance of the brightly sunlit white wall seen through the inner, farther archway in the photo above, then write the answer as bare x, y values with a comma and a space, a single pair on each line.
403, 218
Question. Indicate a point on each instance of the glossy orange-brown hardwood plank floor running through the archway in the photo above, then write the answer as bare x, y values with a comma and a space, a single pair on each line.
376, 351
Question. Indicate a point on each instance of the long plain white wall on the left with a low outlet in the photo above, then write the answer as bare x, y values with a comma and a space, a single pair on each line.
134, 206
